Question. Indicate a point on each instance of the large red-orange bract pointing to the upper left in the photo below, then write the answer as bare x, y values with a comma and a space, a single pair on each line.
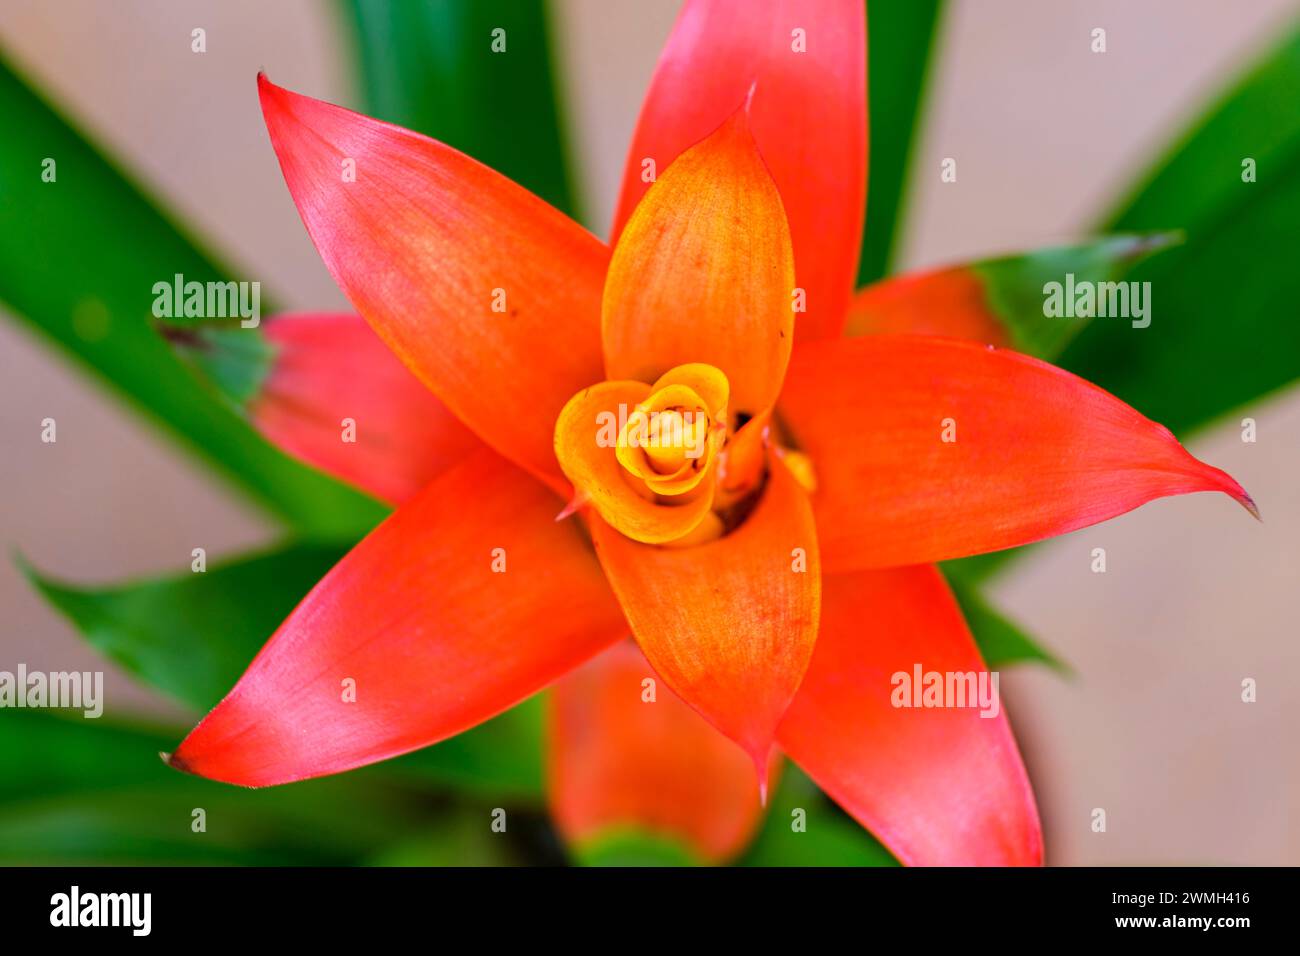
462, 272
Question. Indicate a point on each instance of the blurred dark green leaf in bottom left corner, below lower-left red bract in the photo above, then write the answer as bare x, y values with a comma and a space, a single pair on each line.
90, 791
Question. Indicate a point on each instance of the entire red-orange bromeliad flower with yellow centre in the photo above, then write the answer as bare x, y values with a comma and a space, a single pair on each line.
757, 498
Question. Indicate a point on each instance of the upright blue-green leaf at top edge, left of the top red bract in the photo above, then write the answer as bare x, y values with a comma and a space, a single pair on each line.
432, 67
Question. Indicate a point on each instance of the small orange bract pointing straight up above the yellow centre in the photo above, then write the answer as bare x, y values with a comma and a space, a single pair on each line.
705, 272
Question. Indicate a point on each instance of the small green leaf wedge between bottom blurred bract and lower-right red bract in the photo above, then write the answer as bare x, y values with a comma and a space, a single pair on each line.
829, 837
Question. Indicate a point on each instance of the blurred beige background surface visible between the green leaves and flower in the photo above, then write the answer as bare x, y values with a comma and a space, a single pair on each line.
1197, 598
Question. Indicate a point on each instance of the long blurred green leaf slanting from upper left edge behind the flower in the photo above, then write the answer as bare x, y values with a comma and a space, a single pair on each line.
79, 262
